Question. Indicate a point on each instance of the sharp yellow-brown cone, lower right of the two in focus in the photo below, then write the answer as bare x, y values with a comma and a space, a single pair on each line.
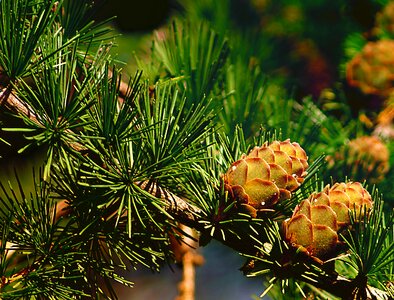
317, 220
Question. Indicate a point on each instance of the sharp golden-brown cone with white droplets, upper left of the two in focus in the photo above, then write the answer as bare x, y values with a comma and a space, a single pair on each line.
266, 175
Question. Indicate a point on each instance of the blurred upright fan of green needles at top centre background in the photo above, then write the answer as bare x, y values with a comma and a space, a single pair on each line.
193, 53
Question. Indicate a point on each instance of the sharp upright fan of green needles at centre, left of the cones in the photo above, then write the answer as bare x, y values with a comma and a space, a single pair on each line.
176, 139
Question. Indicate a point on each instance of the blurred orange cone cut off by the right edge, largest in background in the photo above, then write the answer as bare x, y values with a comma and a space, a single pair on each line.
372, 70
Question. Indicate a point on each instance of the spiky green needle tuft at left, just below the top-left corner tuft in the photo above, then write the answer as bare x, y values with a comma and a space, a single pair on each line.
57, 104
